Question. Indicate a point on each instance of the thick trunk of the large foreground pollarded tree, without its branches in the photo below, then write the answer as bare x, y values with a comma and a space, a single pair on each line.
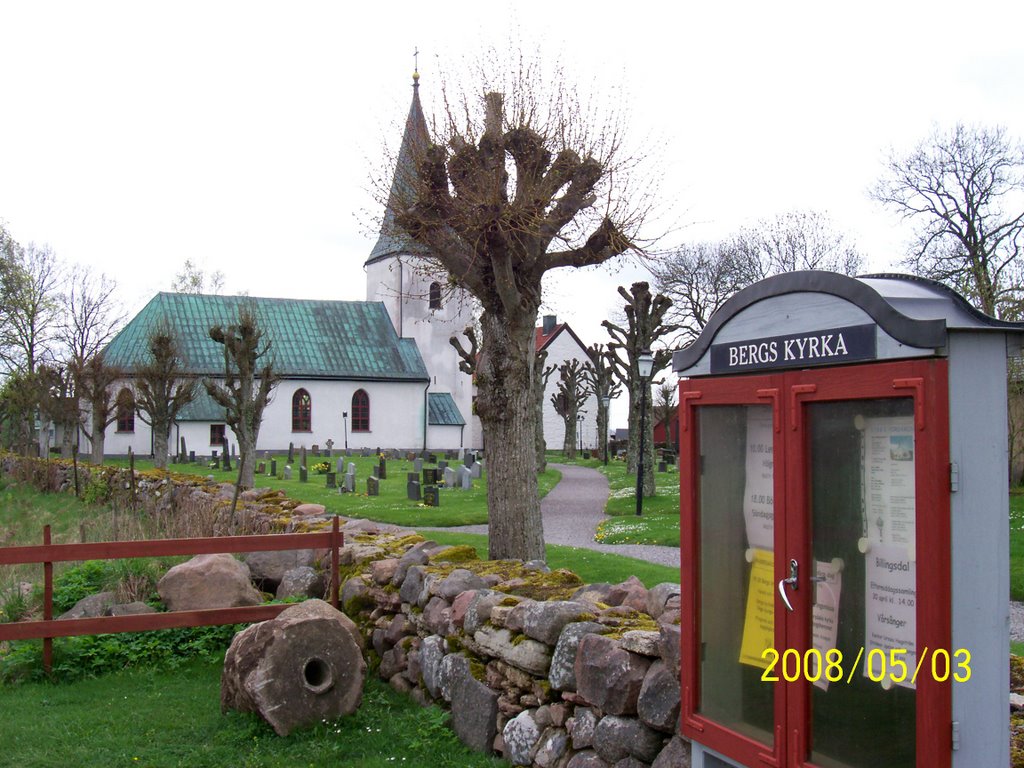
507, 408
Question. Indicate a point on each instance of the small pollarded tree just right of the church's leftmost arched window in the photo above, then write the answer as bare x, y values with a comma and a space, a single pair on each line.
162, 389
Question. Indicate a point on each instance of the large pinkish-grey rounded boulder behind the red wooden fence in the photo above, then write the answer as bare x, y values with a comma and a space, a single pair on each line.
208, 582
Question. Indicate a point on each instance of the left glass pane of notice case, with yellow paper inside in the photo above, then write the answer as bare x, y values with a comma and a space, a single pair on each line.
737, 544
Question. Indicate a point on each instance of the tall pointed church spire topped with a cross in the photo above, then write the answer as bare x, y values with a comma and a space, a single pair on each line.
394, 241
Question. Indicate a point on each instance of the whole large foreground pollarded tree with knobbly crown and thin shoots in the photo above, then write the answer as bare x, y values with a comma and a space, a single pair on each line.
519, 179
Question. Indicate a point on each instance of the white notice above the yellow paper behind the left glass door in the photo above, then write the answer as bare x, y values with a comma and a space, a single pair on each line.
759, 506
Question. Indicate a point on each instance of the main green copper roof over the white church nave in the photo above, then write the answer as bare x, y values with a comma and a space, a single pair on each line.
310, 339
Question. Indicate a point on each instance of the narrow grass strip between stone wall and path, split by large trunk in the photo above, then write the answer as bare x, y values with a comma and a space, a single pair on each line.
590, 566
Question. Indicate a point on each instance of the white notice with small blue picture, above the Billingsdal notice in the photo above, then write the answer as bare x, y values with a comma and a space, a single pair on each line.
889, 484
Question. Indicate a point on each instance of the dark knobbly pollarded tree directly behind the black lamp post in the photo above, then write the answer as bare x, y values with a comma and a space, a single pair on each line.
646, 327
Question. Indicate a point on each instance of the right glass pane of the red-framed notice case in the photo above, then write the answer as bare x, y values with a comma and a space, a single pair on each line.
862, 457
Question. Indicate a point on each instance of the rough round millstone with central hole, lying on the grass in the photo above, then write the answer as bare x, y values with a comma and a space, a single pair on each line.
296, 670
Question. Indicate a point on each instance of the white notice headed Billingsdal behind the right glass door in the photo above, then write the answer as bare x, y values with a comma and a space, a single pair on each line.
890, 600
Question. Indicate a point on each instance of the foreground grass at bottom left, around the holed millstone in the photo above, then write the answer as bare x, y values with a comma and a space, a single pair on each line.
147, 717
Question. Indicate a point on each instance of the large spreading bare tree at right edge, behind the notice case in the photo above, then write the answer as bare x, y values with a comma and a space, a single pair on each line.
964, 191
